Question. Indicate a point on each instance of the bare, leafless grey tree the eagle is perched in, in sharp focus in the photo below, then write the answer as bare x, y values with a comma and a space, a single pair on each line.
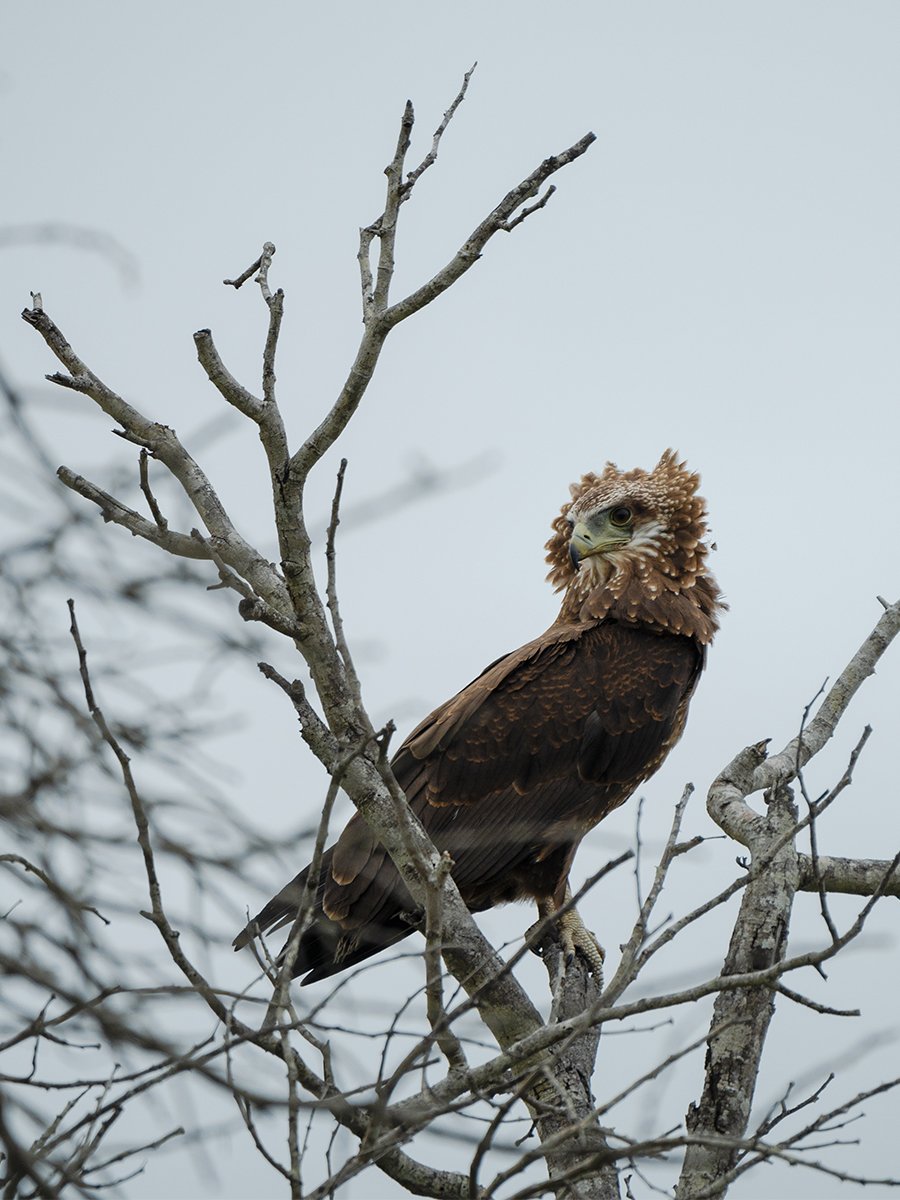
541, 1065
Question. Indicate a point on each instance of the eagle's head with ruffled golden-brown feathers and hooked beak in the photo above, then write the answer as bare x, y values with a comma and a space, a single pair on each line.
650, 521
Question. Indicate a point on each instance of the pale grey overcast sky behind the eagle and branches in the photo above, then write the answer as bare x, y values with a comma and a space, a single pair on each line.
718, 274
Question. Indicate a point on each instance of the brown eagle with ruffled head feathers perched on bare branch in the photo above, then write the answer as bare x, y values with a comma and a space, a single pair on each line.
514, 771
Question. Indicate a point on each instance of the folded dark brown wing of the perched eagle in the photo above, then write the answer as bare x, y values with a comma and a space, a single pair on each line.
526, 759
